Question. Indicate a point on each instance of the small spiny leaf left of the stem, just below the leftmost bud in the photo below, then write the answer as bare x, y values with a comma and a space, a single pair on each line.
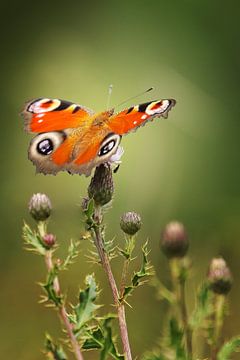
33, 240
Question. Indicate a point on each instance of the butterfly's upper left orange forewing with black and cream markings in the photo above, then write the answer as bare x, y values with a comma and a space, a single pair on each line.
44, 115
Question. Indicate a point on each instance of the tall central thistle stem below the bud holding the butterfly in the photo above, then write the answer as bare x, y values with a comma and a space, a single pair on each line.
99, 243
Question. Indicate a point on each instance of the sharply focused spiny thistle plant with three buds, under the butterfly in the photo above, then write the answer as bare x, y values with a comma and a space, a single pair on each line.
84, 328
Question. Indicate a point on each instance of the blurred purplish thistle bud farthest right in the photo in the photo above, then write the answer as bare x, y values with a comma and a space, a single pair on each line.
219, 276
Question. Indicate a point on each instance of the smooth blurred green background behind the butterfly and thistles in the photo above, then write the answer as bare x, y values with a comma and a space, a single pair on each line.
185, 168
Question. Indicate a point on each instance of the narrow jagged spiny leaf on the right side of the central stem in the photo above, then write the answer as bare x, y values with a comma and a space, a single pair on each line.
139, 276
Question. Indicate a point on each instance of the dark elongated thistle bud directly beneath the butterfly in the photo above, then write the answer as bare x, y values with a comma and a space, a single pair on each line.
101, 186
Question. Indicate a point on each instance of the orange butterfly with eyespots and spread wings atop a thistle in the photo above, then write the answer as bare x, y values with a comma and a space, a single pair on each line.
71, 137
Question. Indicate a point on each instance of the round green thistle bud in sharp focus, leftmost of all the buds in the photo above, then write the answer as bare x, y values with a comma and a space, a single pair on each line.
40, 207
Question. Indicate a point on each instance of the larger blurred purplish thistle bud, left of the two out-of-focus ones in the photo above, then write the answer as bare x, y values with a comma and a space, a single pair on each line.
174, 240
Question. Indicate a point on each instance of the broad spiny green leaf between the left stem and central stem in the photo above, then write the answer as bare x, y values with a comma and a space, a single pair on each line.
84, 311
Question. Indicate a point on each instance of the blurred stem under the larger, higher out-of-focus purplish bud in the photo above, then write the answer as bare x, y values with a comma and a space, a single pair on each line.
179, 290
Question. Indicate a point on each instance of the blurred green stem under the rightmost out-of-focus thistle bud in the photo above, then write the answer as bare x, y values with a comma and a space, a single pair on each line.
218, 320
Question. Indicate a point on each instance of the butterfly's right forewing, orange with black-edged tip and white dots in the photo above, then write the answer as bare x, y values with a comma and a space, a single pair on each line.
130, 119
